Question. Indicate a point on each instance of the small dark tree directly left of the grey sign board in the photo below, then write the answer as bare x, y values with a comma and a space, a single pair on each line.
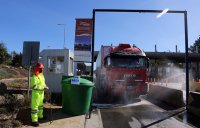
17, 59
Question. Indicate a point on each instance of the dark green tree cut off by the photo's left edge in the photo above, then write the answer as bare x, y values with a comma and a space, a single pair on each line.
4, 55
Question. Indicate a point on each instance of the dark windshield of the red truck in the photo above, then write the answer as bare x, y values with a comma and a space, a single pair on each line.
128, 62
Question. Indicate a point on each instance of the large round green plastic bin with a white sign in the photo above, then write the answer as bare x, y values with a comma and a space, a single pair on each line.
76, 95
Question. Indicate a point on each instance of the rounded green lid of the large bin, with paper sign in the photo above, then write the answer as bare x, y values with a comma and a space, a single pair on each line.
82, 81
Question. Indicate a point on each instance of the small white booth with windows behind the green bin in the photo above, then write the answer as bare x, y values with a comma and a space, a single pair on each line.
57, 62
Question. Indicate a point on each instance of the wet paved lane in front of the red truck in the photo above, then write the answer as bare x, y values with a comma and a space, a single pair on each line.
139, 115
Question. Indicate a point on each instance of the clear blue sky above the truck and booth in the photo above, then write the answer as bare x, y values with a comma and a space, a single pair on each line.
26, 20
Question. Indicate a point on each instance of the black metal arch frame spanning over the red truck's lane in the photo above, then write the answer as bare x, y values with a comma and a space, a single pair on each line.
149, 11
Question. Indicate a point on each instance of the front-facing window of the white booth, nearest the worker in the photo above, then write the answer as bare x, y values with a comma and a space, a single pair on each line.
56, 64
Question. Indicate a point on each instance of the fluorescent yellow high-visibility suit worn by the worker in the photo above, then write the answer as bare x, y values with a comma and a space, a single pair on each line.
37, 86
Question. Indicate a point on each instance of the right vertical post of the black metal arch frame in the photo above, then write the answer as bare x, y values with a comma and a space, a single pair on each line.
186, 59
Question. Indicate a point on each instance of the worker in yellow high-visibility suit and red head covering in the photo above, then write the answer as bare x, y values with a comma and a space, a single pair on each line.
38, 86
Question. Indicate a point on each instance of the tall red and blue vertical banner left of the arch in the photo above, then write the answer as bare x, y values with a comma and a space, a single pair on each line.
83, 40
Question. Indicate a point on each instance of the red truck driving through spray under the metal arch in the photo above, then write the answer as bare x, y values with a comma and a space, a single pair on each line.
121, 72
